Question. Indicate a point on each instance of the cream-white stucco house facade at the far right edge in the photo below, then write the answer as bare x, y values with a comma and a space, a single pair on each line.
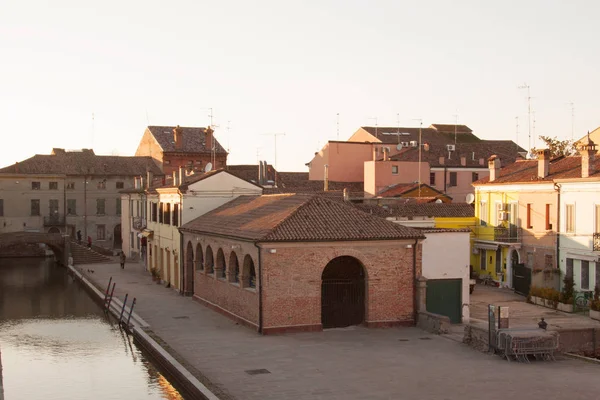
579, 244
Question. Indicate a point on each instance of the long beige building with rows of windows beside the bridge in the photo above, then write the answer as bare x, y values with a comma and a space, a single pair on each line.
69, 191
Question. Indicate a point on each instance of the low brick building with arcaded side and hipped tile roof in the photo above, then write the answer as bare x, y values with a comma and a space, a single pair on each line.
293, 262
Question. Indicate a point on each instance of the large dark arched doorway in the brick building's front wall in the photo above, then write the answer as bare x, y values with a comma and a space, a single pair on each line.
342, 293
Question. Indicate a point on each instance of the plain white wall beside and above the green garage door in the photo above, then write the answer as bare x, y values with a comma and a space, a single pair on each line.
446, 255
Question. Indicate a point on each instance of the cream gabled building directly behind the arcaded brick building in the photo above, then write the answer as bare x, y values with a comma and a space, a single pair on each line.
152, 216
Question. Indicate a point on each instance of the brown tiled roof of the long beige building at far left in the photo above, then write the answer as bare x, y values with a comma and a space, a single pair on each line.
84, 162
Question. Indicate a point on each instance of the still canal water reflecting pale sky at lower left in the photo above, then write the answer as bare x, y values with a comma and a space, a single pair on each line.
57, 343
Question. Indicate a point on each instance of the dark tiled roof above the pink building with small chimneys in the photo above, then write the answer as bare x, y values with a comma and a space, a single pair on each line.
506, 150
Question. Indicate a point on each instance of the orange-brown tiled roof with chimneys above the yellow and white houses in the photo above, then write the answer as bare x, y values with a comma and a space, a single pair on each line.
526, 171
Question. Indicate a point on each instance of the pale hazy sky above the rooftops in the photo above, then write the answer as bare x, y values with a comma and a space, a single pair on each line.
94, 74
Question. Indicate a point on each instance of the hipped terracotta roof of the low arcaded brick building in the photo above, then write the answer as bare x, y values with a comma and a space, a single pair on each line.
293, 218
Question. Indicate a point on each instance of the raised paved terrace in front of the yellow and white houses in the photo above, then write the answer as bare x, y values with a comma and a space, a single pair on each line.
521, 313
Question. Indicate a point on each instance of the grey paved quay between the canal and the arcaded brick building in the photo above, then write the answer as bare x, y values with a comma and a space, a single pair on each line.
351, 363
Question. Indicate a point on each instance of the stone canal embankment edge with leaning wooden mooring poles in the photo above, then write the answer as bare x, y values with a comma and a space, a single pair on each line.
144, 337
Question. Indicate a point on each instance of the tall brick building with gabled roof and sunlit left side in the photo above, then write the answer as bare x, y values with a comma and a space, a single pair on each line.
172, 147
